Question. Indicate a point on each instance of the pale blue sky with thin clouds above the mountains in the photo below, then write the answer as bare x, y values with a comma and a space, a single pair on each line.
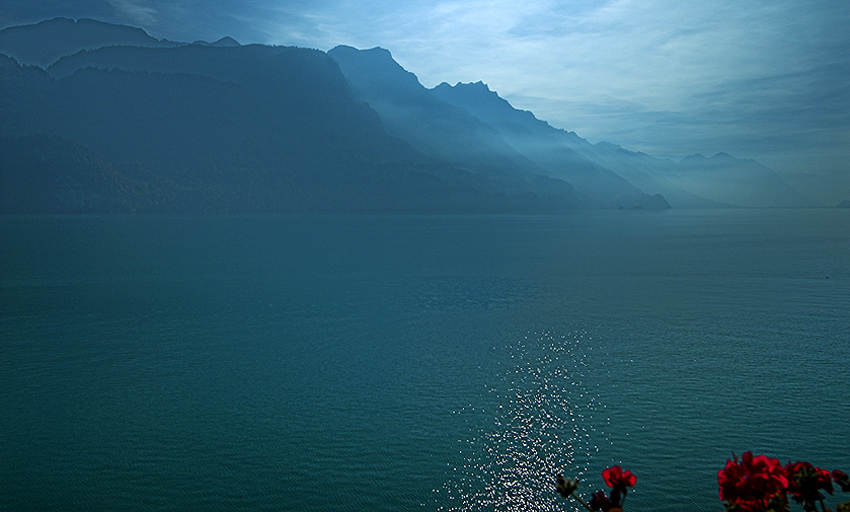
762, 79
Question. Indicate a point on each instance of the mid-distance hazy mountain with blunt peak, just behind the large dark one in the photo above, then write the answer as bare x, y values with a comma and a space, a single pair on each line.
459, 131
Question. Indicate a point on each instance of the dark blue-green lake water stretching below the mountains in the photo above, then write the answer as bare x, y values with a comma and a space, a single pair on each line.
323, 363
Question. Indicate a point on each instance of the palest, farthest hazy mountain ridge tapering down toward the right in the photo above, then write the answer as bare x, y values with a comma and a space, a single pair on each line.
721, 181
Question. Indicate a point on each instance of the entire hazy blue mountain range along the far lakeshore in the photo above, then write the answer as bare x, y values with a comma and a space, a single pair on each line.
96, 117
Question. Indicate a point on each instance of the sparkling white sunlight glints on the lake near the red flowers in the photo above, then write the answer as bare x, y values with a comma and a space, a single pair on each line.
544, 422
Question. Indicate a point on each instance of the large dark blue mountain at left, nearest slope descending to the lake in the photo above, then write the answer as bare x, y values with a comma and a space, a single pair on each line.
236, 128
